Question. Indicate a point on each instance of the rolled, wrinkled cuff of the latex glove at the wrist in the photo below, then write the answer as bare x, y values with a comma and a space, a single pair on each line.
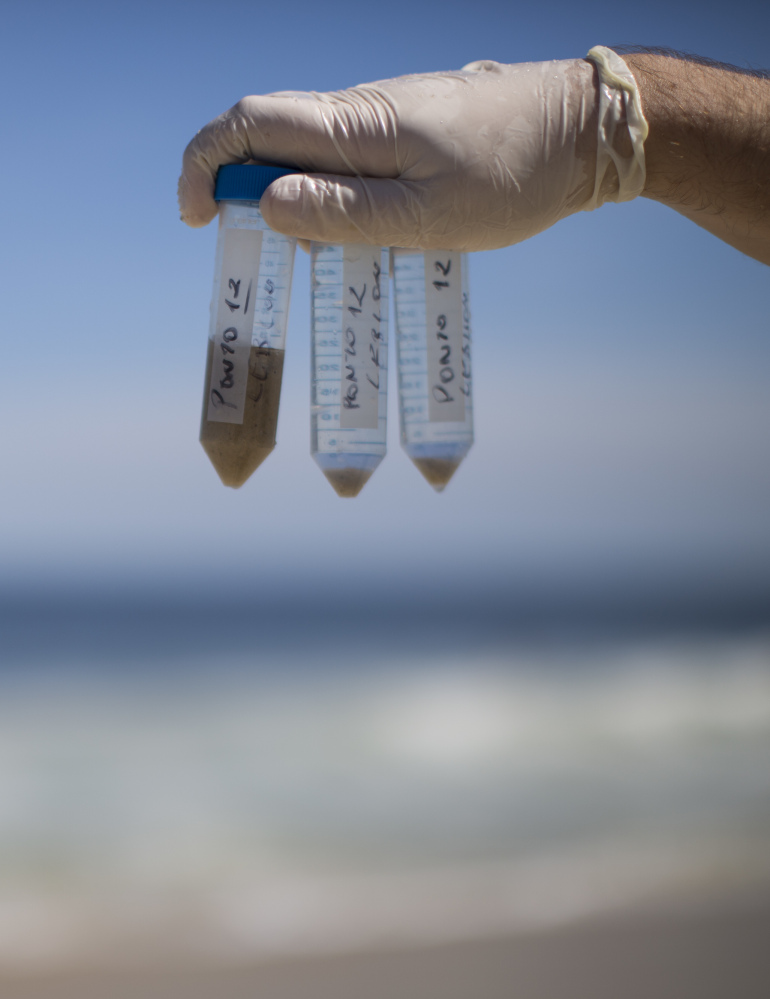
619, 106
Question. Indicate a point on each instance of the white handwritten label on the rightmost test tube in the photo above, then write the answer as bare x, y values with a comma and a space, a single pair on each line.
448, 338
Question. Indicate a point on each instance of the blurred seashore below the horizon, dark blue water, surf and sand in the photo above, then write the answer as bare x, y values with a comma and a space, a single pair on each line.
305, 796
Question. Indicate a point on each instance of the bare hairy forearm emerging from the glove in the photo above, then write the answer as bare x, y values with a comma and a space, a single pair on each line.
708, 150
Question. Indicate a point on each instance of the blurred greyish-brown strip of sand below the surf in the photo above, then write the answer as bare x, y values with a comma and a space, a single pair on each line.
712, 949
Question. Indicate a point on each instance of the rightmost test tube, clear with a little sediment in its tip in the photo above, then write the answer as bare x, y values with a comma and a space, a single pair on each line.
433, 342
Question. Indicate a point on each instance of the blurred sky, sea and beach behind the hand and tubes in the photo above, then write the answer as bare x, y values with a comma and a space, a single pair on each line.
539, 700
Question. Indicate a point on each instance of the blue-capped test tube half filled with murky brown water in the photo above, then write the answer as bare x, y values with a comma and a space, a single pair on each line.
247, 333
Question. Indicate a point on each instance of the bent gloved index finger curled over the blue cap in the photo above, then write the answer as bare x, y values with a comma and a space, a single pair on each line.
343, 133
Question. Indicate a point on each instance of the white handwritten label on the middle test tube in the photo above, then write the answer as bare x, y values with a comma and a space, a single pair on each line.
364, 342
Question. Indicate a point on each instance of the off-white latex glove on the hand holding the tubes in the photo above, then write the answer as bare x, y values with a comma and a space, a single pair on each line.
469, 160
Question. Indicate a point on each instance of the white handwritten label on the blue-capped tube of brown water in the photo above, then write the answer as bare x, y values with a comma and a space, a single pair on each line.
232, 332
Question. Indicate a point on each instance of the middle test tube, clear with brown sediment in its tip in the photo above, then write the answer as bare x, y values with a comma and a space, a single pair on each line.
349, 295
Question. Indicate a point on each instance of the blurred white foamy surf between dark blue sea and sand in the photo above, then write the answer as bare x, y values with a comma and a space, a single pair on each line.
238, 817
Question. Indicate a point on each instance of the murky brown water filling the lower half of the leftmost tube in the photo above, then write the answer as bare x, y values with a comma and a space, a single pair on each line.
237, 449
